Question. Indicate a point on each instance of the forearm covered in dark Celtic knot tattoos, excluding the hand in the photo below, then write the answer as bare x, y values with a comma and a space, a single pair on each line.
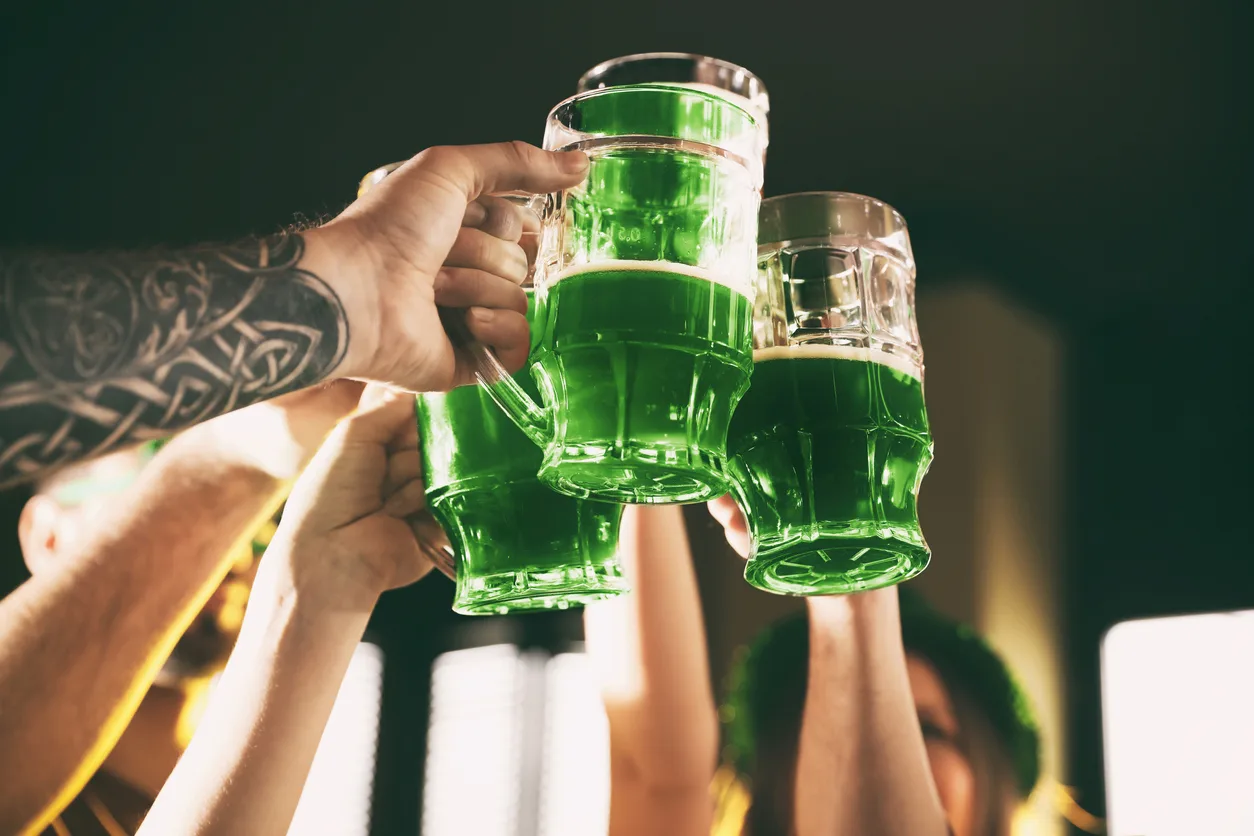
98, 352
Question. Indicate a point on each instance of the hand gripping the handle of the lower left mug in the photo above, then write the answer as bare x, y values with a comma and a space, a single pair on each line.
357, 523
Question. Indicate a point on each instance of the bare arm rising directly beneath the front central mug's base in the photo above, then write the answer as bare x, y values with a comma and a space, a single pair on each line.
650, 652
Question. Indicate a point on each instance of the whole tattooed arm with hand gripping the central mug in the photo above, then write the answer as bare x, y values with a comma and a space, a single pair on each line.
100, 352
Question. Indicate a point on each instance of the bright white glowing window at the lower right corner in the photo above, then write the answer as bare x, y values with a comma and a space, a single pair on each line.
1178, 711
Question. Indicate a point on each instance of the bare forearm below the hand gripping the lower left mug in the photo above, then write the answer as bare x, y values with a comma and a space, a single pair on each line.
248, 765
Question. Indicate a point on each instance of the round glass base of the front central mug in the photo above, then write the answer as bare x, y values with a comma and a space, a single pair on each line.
646, 477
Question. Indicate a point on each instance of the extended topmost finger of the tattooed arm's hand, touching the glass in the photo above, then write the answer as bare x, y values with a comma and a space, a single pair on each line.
517, 166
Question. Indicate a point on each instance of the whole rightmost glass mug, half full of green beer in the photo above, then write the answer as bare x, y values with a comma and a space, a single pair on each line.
831, 444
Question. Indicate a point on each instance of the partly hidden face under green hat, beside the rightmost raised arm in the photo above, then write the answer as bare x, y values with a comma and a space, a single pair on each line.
952, 773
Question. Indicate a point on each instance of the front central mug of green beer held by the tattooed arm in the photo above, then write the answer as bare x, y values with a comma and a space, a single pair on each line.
643, 290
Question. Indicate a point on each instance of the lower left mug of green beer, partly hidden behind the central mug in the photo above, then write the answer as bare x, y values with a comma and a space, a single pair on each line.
517, 545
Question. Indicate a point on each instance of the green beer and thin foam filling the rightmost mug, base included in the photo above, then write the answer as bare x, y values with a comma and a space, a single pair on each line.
831, 446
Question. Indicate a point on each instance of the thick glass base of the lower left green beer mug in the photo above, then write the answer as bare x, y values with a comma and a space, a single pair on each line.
539, 590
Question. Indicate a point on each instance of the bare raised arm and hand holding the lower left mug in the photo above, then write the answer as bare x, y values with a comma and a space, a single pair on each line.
345, 538
